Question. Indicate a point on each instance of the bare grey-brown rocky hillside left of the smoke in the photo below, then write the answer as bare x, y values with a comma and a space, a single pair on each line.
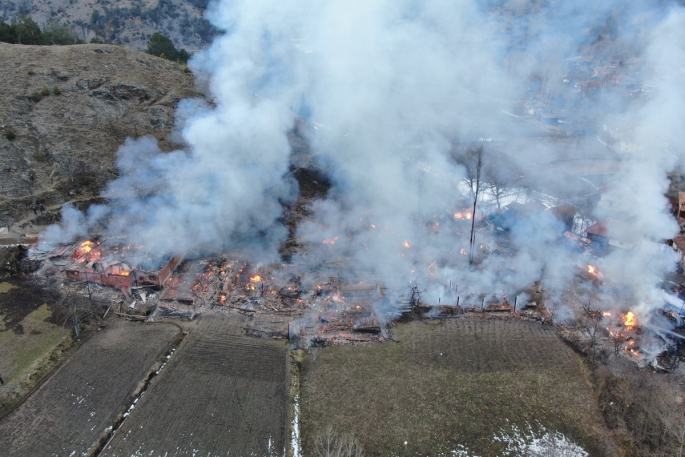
62, 148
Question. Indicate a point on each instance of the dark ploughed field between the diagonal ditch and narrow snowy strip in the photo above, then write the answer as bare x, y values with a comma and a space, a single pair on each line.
222, 393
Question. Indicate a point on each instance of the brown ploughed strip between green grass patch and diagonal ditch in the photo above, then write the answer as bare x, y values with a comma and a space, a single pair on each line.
73, 409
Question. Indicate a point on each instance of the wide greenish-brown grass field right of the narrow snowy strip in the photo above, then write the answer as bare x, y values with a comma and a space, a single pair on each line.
449, 383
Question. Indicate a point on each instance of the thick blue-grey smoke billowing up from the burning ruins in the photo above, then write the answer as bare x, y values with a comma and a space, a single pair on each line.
395, 96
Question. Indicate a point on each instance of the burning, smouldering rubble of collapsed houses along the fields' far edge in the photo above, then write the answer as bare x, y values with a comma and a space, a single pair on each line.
343, 307
